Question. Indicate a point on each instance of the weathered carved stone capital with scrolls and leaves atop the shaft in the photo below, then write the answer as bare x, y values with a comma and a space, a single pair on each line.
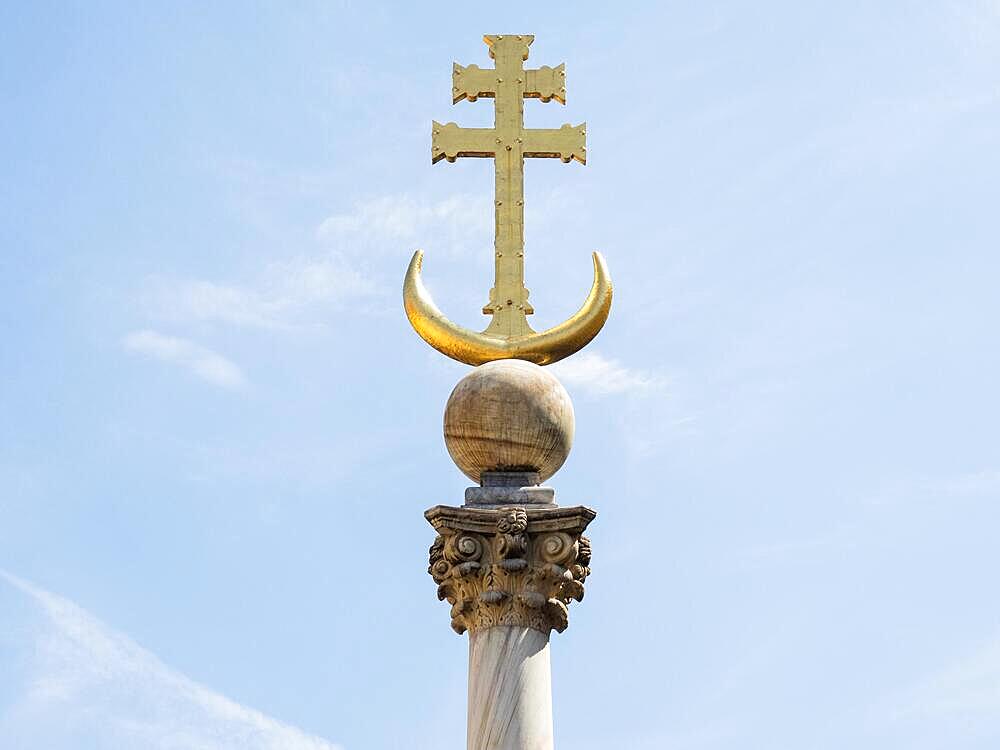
510, 566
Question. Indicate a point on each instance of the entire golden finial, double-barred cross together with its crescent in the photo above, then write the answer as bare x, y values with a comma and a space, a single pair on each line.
508, 143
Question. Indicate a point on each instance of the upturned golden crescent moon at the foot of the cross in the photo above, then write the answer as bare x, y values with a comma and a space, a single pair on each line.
473, 348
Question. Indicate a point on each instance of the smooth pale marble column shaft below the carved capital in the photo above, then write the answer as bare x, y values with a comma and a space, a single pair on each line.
510, 689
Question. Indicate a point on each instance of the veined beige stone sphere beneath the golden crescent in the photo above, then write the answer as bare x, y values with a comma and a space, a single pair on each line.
509, 415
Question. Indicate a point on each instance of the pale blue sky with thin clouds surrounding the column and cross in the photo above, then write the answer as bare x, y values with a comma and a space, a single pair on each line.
218, 434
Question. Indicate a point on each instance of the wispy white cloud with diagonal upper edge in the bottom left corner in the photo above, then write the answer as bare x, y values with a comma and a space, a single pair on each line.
88, 685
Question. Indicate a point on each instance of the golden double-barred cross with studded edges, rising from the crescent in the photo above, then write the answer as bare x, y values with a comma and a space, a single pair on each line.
508, 143
